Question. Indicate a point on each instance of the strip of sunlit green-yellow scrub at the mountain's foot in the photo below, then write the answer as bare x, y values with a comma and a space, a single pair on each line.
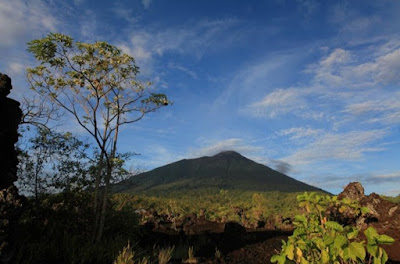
217, 205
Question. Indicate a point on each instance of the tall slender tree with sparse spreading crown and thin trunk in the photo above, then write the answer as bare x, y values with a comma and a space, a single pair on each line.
97, 84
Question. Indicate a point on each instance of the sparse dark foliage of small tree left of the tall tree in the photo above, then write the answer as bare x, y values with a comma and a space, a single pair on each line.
53, 162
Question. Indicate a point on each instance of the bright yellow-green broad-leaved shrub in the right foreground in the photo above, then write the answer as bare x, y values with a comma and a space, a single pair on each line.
319, 239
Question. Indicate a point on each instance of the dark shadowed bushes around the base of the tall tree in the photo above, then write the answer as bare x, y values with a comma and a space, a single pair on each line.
58, 230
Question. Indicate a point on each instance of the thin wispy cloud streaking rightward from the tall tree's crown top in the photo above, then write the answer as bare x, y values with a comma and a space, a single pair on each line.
190, 39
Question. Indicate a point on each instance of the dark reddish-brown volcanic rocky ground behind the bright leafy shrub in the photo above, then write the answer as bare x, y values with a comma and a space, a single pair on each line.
252, 246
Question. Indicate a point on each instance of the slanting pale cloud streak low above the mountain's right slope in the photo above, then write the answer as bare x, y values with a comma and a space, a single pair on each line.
347, 146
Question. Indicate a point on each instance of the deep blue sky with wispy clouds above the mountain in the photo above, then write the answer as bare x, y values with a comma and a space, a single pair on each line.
307, 87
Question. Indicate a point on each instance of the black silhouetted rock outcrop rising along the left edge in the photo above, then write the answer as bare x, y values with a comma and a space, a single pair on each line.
10, 201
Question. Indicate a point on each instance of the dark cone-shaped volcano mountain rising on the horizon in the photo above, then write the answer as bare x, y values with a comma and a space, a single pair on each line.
226, 170
